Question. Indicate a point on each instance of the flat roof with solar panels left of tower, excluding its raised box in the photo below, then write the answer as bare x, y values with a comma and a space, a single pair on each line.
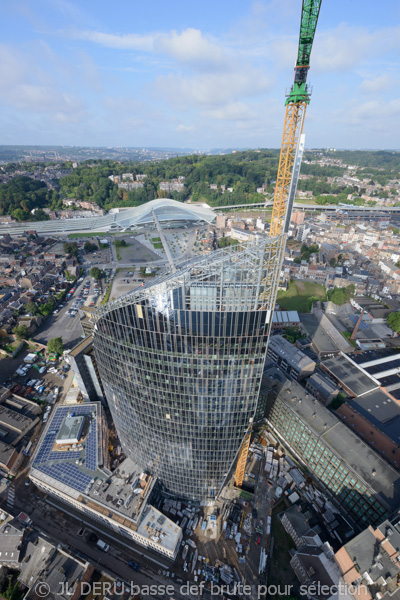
77, 470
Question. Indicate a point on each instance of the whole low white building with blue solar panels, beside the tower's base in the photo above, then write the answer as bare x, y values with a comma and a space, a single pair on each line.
72, 464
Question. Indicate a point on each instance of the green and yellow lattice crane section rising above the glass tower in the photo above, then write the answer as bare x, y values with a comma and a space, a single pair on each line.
296, 105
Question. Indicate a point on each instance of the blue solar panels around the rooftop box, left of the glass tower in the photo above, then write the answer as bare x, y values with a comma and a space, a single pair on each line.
64, 469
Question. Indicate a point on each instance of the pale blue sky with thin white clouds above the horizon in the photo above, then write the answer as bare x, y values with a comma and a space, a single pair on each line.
195, 74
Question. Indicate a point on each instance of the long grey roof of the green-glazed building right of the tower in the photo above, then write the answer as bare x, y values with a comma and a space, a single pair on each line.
366, 464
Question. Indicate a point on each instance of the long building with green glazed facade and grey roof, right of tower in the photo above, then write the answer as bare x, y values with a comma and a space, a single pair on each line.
359, 480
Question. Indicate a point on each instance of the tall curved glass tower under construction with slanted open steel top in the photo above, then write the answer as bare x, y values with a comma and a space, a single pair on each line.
181, 362
